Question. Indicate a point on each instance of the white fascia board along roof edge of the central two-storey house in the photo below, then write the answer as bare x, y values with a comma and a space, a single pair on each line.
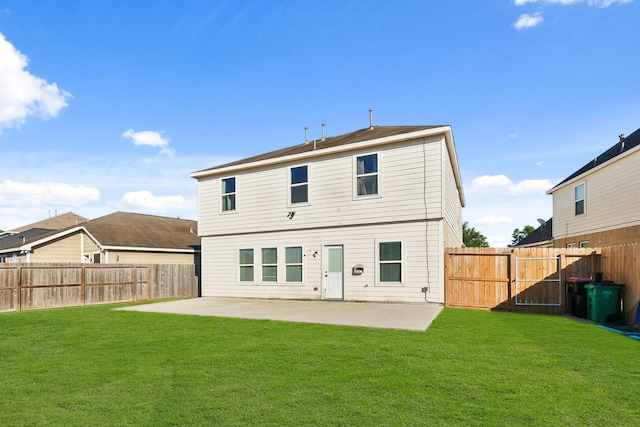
328, 151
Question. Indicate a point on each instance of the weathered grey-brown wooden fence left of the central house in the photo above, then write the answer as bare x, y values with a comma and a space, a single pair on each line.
33, 286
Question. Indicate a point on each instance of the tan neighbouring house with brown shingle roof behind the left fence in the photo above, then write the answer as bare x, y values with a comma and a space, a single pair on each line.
116, 238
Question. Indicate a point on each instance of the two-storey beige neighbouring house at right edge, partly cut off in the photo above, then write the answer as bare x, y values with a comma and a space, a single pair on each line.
598, 205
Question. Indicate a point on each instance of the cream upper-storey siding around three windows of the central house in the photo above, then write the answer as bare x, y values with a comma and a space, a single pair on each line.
409, 185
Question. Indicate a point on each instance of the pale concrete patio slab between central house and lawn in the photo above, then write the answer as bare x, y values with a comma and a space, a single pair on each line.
413, 317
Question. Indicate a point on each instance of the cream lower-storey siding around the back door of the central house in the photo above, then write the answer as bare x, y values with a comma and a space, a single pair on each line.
422, 258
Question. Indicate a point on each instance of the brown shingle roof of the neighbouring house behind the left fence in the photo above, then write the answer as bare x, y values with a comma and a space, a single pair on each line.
131, 230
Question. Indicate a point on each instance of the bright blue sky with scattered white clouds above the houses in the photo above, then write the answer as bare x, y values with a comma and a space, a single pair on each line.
109, 105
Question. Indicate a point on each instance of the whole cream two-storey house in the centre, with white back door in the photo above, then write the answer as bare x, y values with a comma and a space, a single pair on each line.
363, 216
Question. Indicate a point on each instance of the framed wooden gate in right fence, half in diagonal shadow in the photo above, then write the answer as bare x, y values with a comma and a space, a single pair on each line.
538, 282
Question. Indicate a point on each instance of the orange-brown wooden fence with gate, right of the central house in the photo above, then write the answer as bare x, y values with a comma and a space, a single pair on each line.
530, 280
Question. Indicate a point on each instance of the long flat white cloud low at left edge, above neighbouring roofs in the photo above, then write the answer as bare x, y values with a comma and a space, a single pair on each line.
13, 193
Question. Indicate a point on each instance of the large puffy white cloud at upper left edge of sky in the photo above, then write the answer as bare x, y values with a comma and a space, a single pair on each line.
23, 94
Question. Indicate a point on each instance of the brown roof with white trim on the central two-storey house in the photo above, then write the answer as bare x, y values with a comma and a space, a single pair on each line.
377, 135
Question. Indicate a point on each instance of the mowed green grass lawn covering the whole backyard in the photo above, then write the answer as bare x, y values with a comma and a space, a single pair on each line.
92, 366
